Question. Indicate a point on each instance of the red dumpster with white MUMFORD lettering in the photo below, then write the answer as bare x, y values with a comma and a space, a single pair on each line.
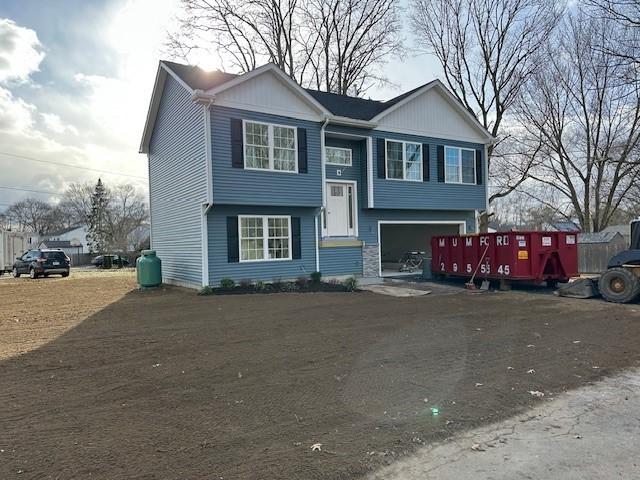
524, 256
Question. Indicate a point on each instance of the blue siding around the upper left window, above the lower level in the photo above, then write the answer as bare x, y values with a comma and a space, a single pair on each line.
237, 186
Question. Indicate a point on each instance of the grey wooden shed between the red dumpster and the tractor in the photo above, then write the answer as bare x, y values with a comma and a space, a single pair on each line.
595, 250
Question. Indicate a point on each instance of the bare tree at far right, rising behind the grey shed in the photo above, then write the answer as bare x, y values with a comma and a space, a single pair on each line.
586, 124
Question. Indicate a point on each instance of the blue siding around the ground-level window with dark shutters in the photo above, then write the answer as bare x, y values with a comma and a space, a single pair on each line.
219, 267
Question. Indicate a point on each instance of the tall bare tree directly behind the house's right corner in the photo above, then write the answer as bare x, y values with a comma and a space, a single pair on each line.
488, 49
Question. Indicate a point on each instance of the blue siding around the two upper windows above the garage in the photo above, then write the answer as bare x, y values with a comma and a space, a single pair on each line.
426, 195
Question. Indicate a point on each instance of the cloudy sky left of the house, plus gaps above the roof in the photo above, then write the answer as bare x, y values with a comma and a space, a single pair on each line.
75, 83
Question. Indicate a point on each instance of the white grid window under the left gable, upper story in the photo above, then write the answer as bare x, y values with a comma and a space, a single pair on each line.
270, 147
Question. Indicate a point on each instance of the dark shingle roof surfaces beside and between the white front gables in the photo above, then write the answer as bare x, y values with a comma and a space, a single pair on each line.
341, 105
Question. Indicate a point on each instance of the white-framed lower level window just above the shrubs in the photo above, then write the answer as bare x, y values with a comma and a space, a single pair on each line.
265, 238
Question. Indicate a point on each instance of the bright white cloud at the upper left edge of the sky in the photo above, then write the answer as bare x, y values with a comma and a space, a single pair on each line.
20, 52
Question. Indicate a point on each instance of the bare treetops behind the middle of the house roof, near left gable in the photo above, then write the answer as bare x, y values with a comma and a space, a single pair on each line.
332, 45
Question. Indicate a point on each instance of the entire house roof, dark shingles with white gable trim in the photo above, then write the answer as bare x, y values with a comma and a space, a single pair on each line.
201, 83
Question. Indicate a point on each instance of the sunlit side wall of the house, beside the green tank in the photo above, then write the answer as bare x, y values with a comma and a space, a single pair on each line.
178, 184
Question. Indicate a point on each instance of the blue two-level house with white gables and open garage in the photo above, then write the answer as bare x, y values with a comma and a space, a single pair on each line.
254, 177
